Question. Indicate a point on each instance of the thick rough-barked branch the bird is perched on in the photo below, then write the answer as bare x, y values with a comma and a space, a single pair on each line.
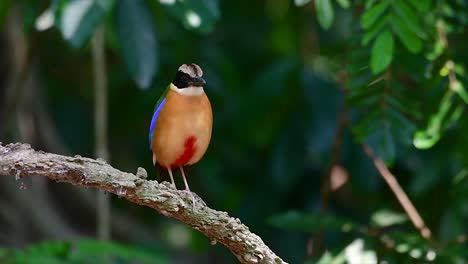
21, 160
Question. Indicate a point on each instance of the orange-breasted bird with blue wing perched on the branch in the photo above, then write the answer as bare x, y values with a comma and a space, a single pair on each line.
181, 126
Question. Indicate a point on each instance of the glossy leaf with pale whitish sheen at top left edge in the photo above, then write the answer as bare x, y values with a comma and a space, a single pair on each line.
79, 19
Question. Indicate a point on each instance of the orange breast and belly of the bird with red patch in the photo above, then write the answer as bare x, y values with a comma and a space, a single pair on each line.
183, 130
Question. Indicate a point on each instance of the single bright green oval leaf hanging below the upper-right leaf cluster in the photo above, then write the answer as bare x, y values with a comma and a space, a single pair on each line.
382, 52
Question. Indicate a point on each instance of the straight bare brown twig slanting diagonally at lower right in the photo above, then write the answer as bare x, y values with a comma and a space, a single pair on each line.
405, 202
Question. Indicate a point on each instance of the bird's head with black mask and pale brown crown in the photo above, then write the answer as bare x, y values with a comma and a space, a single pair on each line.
189, 75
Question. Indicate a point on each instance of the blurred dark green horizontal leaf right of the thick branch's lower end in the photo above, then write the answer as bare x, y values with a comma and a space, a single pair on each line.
310, 223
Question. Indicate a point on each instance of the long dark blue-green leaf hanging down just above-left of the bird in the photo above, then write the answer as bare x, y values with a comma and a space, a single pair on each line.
138, 40
